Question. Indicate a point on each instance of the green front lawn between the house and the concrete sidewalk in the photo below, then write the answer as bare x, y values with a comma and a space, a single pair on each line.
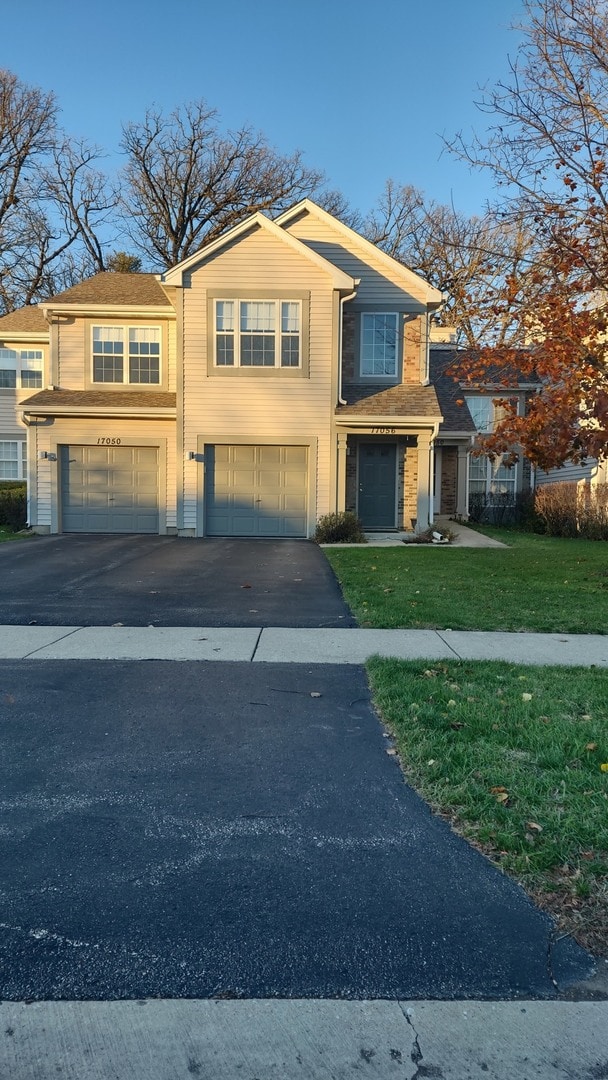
538, 584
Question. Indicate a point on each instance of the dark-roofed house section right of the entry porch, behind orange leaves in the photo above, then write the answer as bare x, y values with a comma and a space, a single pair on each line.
465, 480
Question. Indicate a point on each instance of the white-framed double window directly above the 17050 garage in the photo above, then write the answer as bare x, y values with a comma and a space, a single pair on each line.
127, 355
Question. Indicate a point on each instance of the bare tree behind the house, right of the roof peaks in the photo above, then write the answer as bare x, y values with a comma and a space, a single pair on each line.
468, 259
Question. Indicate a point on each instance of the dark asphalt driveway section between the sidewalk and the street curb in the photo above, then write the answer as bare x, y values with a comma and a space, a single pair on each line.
207, 830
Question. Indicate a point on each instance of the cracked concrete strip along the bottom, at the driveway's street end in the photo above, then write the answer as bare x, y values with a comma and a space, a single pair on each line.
305, 1041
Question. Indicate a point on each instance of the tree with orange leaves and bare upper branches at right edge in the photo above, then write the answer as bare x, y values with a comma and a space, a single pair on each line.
548, 152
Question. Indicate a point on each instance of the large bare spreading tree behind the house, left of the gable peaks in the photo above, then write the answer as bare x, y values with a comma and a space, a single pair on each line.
186, 182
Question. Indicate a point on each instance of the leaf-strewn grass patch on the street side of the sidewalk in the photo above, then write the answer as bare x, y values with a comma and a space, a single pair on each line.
514, 757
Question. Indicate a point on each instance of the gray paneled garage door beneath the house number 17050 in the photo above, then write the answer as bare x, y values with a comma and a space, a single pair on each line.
110, 489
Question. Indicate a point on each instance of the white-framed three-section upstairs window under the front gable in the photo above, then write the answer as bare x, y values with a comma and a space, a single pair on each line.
258, 334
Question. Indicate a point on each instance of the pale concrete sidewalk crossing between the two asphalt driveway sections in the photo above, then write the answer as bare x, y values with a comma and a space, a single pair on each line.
285, 645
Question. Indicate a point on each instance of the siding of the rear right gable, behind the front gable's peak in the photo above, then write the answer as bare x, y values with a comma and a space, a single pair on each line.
379, 285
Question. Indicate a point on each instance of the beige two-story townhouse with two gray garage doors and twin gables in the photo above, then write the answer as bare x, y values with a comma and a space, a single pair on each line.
279, 374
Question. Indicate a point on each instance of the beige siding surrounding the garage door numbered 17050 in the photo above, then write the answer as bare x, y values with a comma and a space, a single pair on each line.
86, 431
